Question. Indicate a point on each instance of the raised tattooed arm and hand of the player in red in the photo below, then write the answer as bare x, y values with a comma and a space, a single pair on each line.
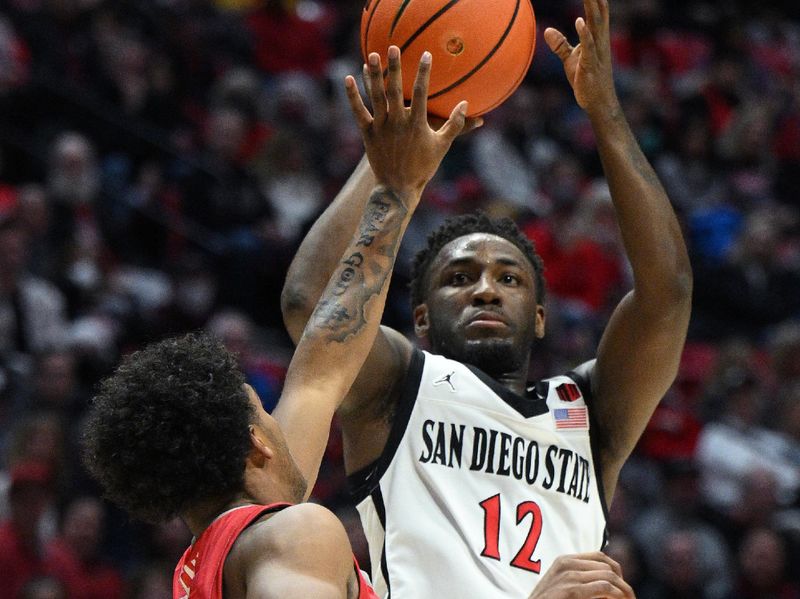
404, 153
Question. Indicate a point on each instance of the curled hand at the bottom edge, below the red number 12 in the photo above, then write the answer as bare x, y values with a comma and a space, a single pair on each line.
583, 576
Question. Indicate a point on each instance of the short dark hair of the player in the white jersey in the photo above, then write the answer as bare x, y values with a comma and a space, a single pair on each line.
466, 224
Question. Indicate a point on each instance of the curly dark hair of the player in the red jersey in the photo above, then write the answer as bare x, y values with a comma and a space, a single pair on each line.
170, 428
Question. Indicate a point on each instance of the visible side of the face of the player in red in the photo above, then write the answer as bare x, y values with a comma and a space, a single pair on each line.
286, 481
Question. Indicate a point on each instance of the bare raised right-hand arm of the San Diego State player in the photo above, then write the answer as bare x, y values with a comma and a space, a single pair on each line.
639, 352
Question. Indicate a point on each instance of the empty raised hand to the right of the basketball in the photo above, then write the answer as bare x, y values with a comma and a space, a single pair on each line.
588, 65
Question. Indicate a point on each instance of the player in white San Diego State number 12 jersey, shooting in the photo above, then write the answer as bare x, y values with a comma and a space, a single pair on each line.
471, 480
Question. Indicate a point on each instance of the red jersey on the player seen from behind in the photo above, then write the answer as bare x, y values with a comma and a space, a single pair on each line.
198, 574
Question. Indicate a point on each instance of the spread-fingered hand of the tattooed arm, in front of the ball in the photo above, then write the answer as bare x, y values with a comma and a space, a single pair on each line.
403, 150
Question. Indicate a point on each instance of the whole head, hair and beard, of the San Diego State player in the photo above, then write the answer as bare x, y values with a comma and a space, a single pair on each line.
477, 292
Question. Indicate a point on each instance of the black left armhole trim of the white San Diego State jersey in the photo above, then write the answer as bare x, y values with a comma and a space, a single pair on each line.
363, 482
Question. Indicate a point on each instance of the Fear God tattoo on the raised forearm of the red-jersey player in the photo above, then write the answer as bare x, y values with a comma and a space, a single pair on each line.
341, 311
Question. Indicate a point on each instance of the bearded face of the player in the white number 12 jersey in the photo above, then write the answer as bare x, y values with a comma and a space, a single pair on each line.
481, 304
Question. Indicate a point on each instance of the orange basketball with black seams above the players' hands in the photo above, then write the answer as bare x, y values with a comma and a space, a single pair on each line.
481, 48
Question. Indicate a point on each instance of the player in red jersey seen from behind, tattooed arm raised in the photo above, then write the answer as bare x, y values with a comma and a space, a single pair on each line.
175, 431
